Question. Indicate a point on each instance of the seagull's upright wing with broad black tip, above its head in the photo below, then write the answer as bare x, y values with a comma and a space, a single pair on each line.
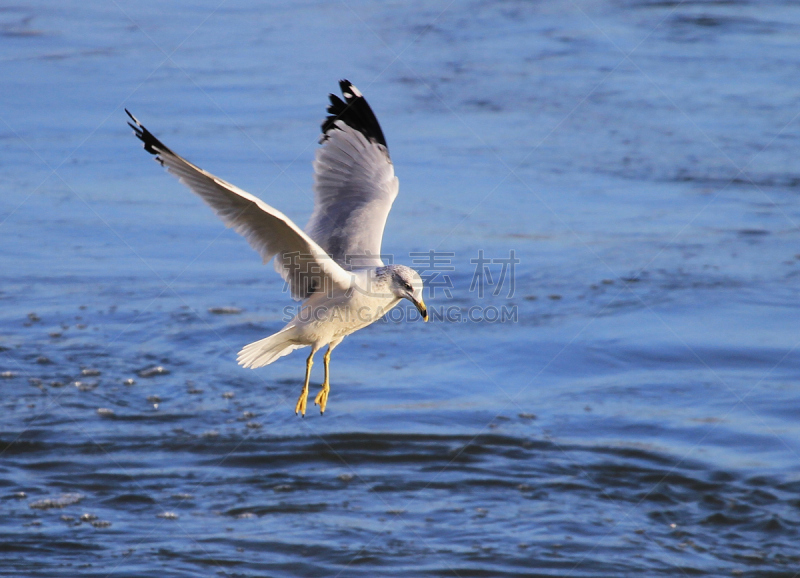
354, 183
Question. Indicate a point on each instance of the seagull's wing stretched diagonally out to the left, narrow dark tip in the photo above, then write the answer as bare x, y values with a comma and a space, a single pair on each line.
299, 260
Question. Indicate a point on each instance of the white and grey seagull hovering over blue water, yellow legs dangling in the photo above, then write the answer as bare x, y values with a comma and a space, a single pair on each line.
334, 266
